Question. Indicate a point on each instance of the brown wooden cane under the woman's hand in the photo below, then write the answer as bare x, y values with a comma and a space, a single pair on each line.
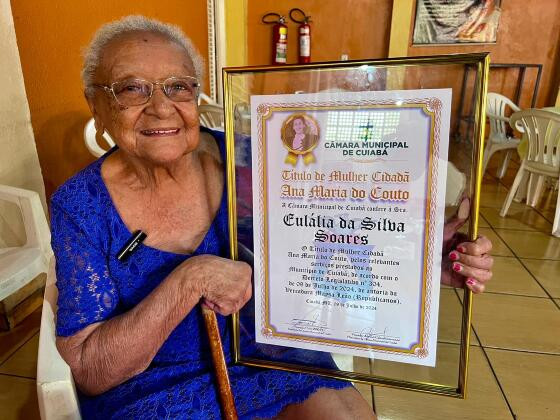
224, 388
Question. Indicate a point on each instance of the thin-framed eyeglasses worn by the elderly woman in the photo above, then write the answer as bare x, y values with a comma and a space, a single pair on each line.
133, 92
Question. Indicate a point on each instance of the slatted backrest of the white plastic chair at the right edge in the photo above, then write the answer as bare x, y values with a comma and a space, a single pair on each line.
542, 129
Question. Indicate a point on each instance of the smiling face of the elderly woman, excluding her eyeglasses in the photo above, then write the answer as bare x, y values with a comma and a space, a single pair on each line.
160, 131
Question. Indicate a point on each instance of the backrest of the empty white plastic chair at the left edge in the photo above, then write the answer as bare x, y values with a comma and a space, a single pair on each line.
37, 230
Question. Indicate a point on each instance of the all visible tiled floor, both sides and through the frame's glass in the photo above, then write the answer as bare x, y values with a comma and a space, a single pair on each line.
515, 351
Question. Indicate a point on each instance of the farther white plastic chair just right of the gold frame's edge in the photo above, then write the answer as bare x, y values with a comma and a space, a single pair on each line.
498, 139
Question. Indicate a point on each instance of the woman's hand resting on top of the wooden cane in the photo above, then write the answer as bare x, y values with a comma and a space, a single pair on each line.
224, 285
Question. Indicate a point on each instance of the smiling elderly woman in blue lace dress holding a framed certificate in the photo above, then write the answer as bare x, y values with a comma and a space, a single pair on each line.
131, 330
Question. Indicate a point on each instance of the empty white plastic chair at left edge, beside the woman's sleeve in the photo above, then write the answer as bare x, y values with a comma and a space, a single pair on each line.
20, 265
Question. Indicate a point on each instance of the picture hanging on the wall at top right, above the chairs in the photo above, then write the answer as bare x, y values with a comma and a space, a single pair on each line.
456, 22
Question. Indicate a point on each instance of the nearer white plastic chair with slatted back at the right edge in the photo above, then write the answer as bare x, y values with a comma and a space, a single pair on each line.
542, 129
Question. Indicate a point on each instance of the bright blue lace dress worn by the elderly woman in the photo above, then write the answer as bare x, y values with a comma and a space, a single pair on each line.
87, 233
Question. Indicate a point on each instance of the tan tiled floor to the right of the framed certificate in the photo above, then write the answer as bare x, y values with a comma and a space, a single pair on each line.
514, 371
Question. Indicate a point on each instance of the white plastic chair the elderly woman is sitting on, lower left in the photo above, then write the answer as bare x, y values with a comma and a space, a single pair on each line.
56, 391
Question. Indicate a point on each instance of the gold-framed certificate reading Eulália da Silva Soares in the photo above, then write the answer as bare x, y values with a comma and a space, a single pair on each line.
343, 185
